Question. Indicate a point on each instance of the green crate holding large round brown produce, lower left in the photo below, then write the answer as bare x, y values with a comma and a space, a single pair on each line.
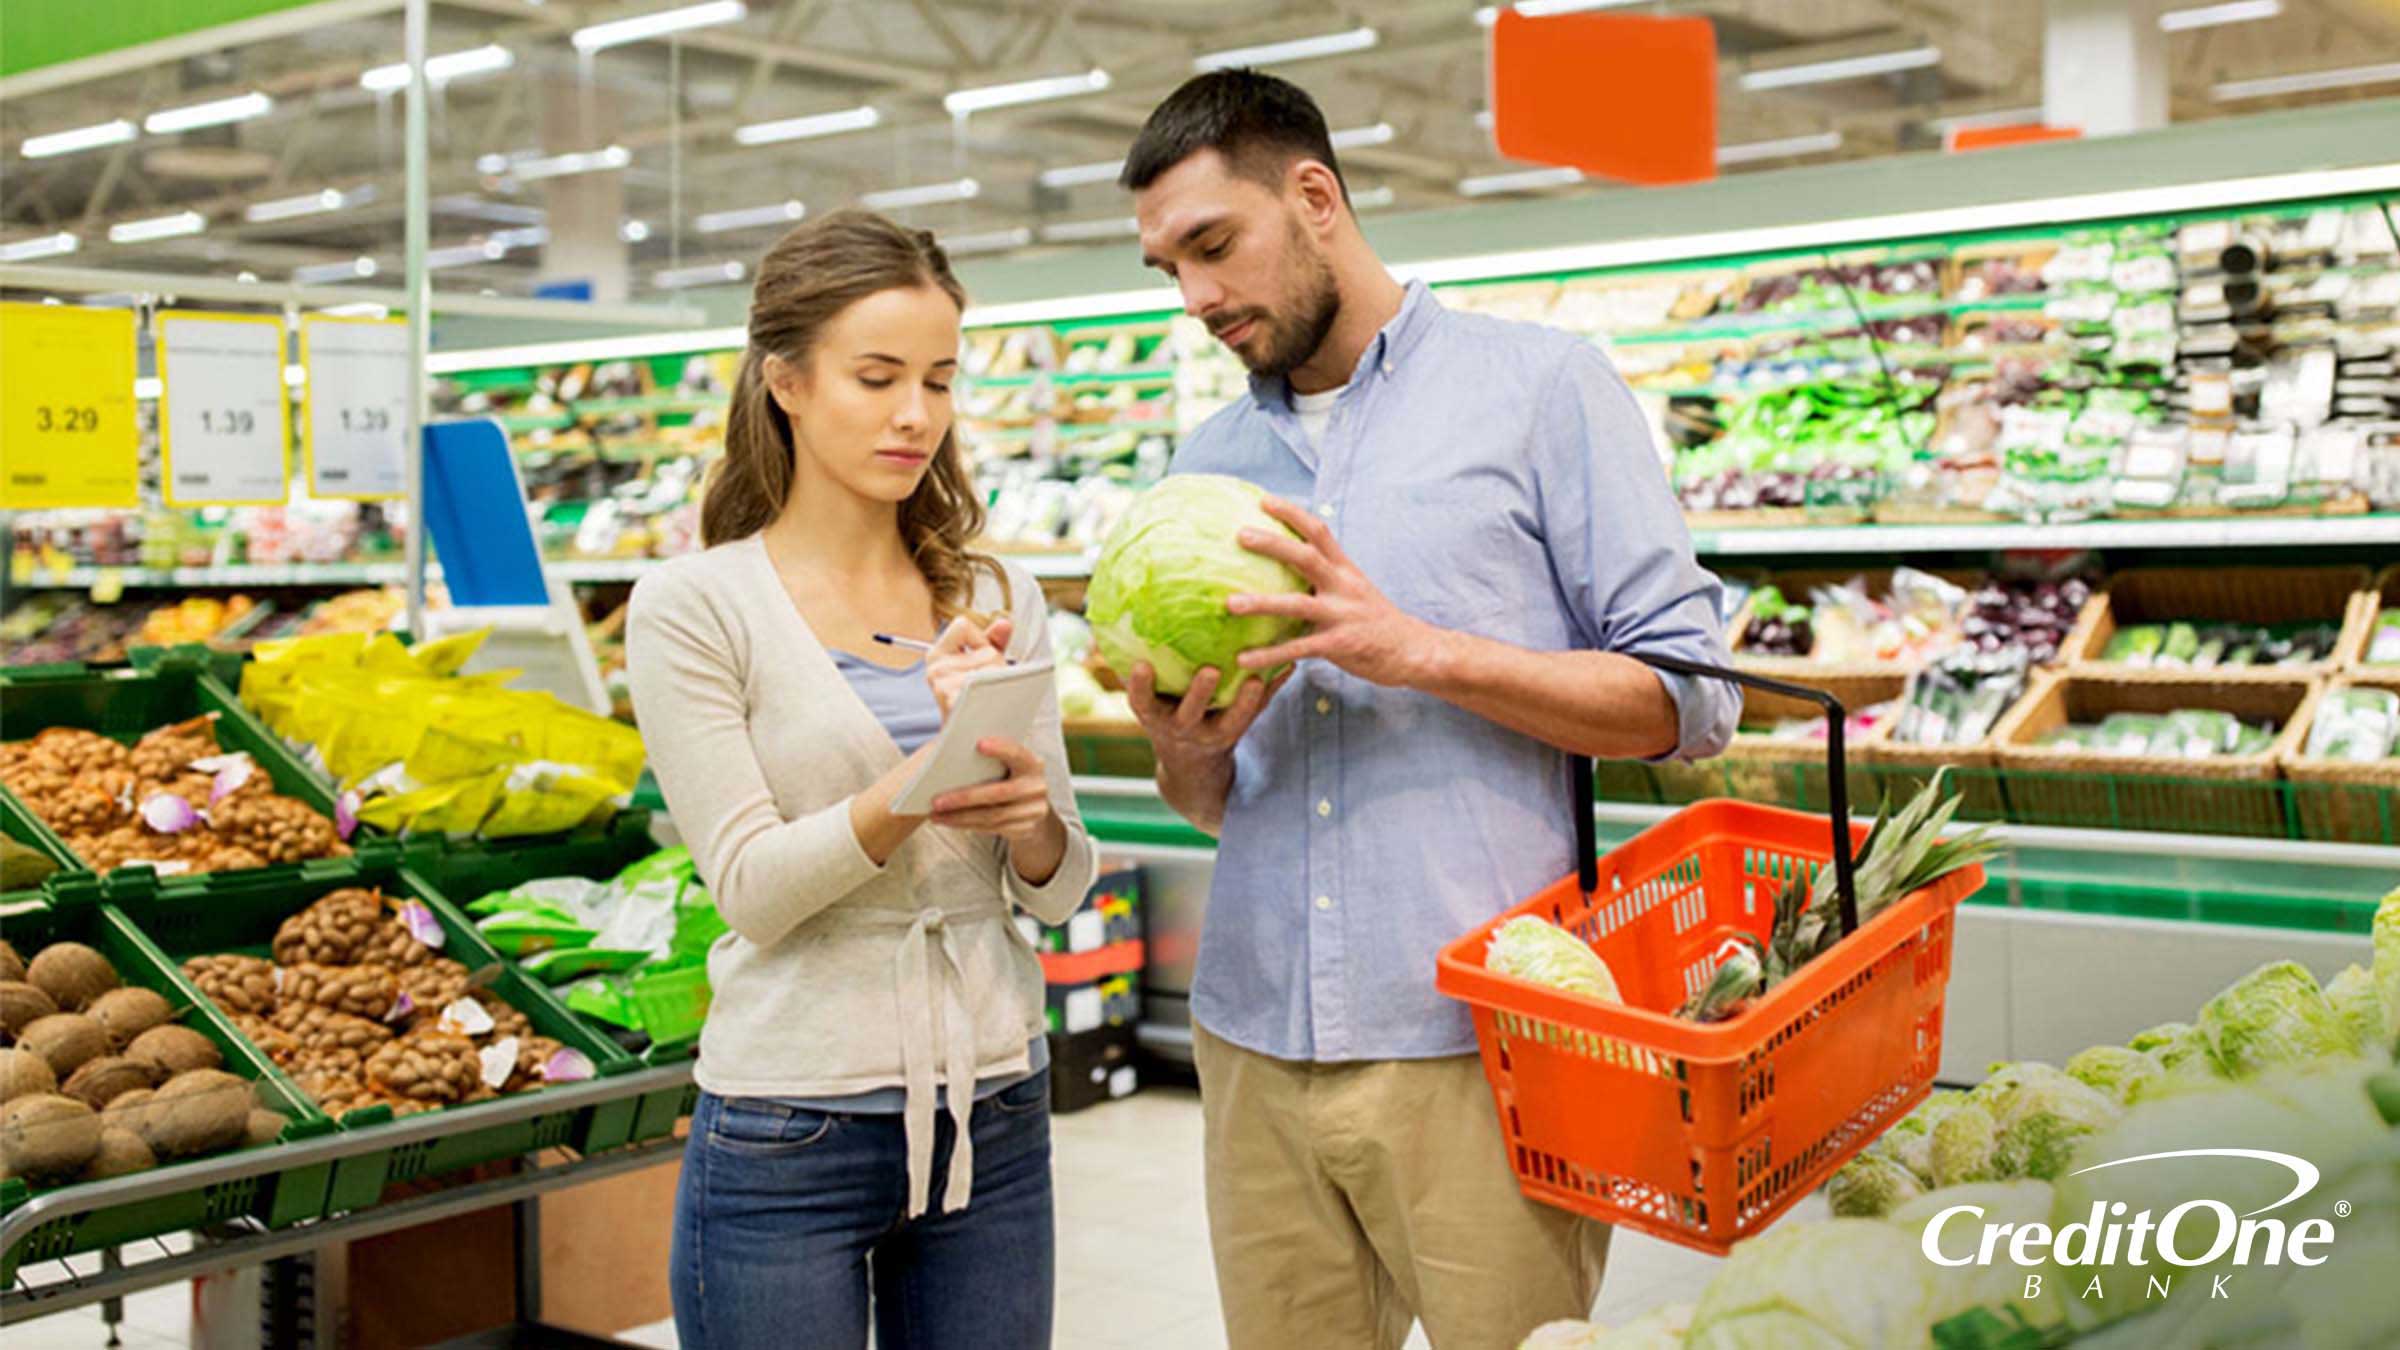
277, 1200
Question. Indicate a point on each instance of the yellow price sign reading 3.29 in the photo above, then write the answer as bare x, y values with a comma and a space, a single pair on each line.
68, 431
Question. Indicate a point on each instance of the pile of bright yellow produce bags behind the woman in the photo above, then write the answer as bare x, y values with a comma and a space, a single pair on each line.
421, 748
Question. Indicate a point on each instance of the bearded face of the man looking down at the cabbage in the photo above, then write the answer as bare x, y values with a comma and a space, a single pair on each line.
1244, 261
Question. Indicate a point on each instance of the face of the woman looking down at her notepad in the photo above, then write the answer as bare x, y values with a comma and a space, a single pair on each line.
875, 400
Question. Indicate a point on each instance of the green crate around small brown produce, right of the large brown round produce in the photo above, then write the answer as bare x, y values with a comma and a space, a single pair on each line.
241, 914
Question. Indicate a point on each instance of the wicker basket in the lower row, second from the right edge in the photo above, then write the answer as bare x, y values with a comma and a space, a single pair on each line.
2068, 787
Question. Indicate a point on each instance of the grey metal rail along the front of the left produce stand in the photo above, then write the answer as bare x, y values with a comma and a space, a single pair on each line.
54, 1286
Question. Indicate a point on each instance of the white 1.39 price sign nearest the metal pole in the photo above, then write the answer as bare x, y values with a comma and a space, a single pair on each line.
356, 414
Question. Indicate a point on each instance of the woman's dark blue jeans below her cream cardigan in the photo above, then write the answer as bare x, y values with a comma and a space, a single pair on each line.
788, 1231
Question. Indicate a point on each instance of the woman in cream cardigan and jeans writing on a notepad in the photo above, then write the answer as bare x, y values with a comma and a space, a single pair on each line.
875, 1058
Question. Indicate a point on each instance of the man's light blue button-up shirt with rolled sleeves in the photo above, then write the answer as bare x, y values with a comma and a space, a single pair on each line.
1487, 477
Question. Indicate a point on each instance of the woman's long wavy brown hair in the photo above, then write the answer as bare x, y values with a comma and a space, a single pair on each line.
810, 277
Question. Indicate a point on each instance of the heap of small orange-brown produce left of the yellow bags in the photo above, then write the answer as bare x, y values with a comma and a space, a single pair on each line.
174, 801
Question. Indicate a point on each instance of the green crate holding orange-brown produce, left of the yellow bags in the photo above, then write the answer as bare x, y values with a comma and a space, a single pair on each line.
128, 705
